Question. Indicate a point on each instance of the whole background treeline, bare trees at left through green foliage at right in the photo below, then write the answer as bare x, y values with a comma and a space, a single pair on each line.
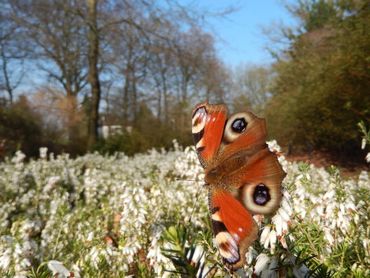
142, 65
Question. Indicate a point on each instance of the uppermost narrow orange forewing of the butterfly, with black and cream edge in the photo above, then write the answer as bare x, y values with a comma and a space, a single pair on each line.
208, 124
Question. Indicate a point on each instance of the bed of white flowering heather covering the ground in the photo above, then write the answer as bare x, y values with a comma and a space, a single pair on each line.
117, 216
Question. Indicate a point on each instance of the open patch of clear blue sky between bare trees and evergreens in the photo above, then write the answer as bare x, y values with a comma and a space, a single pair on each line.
239, 36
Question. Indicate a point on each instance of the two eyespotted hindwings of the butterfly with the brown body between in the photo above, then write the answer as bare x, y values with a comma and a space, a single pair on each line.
245, 162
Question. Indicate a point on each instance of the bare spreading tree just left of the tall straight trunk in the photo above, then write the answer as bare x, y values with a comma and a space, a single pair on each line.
56, 37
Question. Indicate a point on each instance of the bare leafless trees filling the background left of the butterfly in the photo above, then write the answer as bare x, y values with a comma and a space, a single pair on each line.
137, 64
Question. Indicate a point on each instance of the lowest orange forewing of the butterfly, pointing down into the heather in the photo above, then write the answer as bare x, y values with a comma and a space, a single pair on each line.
233, 226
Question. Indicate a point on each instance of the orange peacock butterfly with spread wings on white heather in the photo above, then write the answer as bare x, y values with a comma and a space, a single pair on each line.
242, 175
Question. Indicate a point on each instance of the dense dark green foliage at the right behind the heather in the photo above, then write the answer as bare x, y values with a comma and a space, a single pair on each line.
321, 89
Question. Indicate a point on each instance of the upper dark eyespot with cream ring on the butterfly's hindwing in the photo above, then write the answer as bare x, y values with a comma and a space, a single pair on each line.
235, 126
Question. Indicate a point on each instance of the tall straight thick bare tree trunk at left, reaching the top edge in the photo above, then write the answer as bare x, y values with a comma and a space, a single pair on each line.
93, 75
